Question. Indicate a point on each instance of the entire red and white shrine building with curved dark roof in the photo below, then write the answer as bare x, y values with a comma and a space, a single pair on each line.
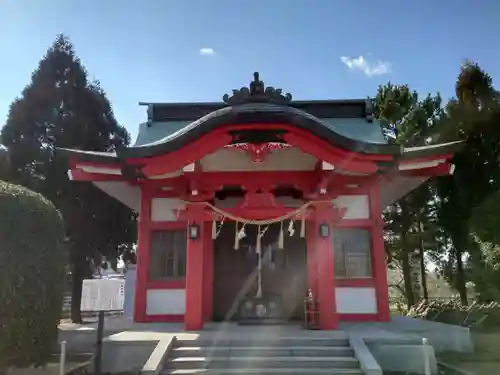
248, 205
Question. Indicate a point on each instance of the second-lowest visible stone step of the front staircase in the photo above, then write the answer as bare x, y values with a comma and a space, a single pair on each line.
191, 363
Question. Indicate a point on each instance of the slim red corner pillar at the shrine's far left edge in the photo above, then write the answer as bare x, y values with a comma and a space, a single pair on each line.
143, 245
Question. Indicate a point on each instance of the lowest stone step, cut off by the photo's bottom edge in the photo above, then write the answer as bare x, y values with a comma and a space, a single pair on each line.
265, 371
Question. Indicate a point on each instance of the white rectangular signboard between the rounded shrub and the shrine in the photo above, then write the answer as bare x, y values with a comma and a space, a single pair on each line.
103, 295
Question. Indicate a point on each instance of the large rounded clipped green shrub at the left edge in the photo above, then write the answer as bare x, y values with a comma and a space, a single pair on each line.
32, 260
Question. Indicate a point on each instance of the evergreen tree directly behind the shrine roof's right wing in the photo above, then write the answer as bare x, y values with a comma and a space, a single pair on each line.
408, 121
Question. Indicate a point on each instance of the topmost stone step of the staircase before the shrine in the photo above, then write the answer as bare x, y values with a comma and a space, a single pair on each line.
260, 341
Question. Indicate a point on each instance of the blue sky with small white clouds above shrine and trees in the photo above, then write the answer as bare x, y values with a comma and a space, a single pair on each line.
197, 50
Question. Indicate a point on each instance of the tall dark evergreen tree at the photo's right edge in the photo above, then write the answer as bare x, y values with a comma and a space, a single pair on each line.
472, 117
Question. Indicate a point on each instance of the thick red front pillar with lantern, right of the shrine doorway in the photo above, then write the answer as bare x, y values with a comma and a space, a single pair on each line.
328, 318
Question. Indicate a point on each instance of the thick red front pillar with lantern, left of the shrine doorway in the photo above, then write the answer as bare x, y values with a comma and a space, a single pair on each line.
193, 316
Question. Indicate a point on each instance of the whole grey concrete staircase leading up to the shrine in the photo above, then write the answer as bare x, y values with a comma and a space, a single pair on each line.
253, 356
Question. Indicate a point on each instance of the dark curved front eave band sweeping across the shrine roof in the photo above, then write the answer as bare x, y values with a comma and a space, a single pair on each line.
257, 113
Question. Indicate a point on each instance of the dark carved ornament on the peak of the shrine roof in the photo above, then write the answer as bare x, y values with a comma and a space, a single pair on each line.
257, 92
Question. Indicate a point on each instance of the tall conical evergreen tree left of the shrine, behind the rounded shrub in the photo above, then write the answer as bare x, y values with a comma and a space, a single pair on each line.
61, 108
